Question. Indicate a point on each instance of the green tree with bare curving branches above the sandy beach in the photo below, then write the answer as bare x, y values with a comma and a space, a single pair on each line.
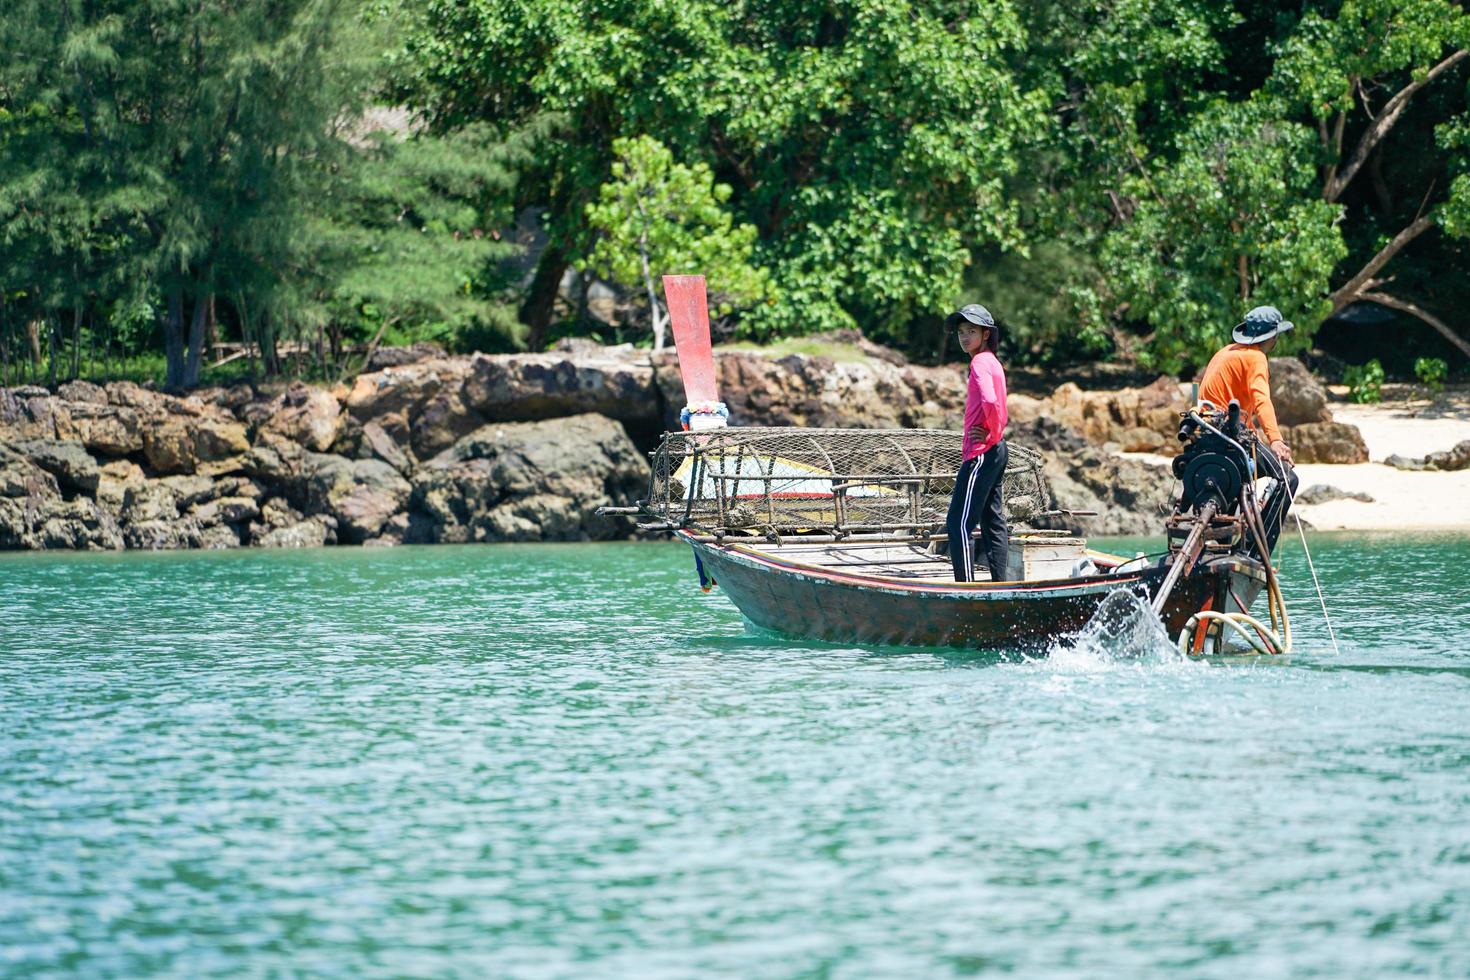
1218, 158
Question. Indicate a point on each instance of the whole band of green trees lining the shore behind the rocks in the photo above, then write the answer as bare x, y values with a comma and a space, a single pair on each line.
1116, 179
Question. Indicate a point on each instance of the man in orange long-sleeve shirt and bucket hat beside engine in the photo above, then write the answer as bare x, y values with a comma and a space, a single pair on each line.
1241, 372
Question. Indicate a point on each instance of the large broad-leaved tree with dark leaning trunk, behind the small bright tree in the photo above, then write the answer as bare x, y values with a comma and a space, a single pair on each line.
870, 143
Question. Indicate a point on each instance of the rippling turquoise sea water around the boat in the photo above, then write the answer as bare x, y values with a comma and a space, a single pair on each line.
567, 762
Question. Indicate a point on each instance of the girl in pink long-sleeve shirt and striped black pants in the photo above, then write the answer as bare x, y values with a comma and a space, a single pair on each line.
978, 487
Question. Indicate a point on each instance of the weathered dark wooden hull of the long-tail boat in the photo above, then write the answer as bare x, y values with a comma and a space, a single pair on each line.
843, 606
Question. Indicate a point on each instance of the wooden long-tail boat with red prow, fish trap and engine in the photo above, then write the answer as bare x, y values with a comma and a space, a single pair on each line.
839, 534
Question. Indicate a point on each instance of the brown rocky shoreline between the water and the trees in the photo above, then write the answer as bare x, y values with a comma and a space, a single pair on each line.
526, 447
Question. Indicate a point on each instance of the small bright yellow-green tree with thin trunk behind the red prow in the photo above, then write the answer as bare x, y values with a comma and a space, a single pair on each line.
658, 217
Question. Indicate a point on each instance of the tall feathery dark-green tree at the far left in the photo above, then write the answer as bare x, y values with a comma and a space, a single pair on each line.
182, 145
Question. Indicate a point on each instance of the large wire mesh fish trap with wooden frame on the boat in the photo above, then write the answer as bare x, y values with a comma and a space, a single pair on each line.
824, 481
